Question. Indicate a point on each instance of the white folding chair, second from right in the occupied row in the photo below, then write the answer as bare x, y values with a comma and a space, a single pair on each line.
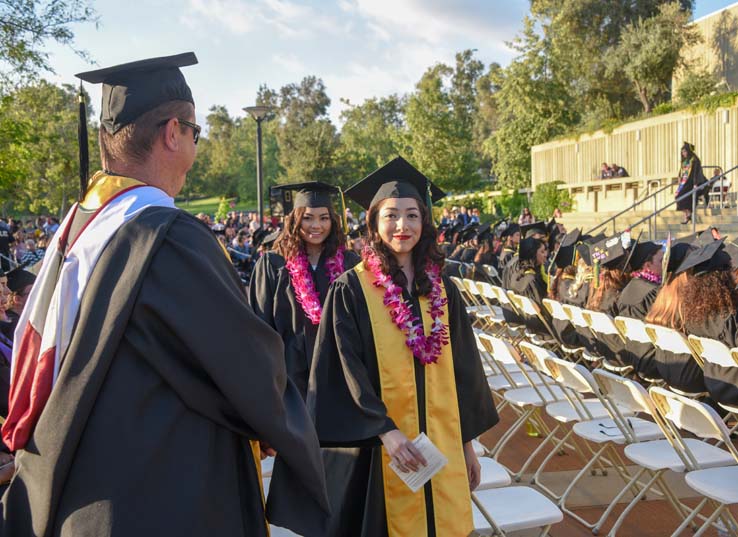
678, 365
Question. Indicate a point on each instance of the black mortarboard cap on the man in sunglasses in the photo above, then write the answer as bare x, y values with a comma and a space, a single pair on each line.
132, 89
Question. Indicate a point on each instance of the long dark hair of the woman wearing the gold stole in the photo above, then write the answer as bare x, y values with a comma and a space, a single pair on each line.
426, 251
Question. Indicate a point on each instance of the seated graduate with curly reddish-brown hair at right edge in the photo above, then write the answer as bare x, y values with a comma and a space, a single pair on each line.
702, 302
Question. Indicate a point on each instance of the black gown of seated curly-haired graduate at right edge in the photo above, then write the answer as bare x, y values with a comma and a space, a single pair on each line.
721, 382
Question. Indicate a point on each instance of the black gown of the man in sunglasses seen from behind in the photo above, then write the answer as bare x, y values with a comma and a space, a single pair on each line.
167, 376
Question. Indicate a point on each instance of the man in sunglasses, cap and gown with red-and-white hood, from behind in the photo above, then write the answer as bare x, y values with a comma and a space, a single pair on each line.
144, 388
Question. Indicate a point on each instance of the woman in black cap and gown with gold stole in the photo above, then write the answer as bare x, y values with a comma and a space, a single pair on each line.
395, 356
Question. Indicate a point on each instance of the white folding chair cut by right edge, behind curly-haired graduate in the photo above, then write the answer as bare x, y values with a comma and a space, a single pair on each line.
717, 361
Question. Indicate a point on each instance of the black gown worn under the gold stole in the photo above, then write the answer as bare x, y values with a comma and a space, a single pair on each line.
345, 399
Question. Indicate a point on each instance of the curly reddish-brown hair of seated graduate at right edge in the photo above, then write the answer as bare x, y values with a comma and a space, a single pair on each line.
709, 295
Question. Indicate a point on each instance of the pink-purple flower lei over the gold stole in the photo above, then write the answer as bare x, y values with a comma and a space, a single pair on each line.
426, 349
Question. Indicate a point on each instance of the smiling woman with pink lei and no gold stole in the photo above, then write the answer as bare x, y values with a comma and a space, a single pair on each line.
289, 283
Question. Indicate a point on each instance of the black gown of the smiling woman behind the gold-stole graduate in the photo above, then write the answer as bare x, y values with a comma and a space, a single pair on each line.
273, 299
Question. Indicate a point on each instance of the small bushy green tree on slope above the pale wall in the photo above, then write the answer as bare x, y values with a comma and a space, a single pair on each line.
649, 51
